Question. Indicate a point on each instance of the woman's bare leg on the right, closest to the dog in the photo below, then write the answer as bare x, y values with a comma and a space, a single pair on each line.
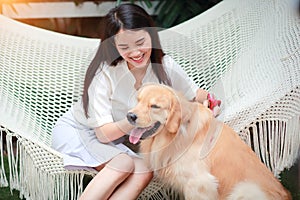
135, 183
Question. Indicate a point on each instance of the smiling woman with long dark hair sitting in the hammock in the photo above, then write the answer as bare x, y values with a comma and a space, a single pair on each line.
91, 133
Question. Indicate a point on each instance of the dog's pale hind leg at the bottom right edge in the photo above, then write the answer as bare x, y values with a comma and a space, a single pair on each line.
247, 191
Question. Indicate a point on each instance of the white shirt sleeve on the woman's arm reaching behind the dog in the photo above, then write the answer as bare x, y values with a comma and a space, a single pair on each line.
179, 78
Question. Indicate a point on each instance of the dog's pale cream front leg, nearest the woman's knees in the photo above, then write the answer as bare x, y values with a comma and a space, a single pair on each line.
203, 186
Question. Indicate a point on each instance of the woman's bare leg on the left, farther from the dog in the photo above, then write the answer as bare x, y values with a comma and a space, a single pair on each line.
109, 178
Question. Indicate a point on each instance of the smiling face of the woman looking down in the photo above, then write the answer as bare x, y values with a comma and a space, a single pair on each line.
135, 47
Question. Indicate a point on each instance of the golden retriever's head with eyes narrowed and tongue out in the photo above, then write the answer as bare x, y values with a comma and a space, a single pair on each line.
158, 107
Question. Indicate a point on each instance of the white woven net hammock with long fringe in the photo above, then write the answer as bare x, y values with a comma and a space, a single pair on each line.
246, 51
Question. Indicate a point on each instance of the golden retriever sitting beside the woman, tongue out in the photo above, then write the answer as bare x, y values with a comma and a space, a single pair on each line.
194, 153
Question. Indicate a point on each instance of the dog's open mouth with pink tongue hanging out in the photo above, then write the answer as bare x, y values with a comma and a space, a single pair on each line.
139, 133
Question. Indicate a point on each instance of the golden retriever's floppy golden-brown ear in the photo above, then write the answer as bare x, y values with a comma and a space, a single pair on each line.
174, 117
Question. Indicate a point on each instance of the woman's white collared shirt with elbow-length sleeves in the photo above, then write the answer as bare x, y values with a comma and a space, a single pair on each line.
112, 92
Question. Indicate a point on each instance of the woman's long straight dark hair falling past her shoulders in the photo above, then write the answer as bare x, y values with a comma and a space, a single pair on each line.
127, 17
